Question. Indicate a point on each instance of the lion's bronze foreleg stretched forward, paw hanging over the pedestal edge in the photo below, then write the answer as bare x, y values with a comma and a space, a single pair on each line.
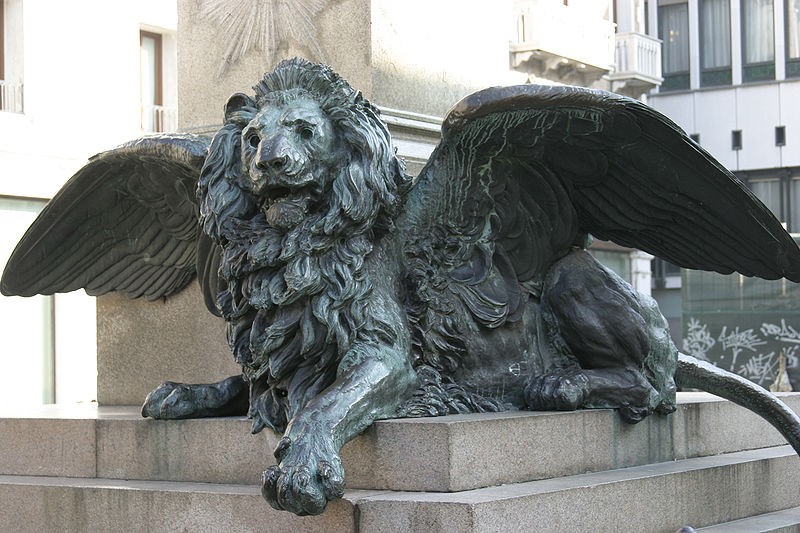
372, 382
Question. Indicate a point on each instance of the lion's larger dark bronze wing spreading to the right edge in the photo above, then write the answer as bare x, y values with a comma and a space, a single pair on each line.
524, 173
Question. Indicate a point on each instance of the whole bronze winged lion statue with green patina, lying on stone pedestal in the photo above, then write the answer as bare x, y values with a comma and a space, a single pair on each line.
353, 292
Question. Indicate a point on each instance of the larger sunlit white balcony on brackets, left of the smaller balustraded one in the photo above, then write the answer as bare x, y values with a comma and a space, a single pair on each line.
567, 44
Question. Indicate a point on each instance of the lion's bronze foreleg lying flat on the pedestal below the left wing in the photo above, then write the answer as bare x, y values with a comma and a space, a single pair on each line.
171, 400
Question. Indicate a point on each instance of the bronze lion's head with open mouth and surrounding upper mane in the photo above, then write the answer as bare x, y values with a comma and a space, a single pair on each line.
306, 148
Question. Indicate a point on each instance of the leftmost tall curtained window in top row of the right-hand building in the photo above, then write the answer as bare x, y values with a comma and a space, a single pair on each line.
673, 30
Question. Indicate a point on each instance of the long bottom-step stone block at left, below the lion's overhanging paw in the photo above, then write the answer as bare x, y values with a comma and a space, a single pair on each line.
64, 504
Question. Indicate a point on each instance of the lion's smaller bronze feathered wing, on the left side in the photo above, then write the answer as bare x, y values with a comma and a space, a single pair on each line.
127, 222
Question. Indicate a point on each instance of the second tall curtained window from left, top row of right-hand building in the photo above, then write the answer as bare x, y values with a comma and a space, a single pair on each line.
715, 42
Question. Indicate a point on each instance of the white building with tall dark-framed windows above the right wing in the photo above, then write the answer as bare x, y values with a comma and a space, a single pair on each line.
732, 80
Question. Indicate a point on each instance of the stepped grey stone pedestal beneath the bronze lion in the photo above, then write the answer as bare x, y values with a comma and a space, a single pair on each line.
107, 469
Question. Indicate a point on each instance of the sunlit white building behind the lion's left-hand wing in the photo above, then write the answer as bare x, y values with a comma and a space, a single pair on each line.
64, 68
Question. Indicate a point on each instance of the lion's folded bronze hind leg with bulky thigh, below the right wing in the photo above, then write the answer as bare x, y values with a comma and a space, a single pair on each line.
610, 344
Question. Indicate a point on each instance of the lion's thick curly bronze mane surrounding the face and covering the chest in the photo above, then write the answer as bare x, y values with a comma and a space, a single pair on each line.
295, 300
